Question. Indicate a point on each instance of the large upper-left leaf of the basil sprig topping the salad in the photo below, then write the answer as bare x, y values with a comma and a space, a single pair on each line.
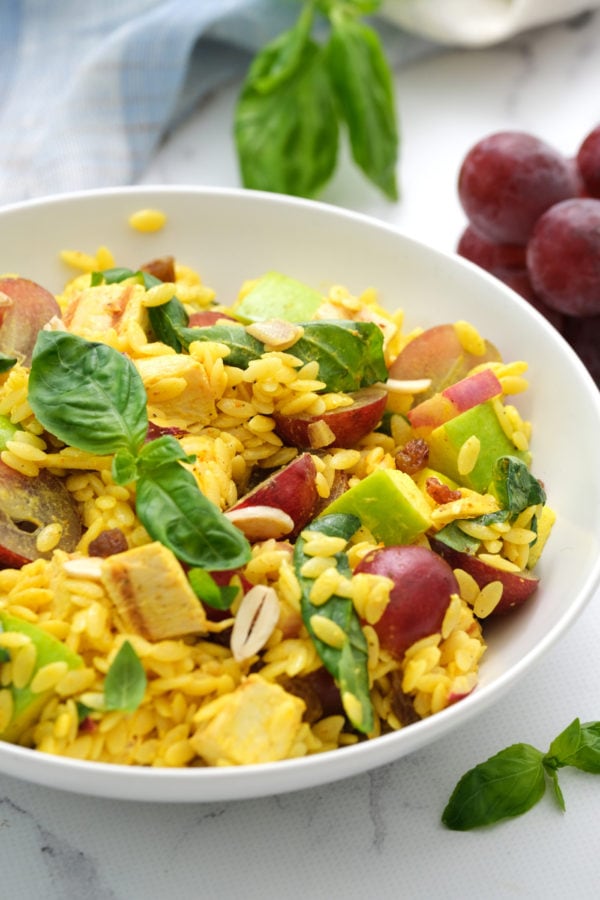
87, 394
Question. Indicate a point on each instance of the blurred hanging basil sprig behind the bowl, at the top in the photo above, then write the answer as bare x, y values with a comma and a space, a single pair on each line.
297, 93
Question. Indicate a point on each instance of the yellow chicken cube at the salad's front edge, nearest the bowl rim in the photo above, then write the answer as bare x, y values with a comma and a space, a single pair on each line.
259, 722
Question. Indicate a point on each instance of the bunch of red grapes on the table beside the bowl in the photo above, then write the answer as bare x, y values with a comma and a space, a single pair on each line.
534, 222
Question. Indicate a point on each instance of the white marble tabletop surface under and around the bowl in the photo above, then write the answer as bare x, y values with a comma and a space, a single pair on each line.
379, 834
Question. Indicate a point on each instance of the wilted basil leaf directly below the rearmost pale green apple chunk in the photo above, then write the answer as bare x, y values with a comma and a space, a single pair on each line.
350, 354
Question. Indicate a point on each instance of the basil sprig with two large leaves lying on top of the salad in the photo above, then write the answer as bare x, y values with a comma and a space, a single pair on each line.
92, 397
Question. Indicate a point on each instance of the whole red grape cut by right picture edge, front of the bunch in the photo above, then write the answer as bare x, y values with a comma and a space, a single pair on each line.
563, 257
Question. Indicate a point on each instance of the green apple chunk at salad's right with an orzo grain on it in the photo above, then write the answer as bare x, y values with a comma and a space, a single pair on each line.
446, 441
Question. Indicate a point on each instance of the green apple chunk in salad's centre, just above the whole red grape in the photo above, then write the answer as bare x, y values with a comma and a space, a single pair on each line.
389, 504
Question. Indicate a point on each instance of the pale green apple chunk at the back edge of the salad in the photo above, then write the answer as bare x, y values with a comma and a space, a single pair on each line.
277, 296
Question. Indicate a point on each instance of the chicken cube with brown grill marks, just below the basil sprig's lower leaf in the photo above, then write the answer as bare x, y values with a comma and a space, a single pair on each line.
152, 594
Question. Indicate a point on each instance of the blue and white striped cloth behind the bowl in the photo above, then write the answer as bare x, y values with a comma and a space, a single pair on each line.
88, 90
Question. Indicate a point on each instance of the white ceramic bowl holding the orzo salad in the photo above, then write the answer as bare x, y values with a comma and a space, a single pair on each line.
230, 235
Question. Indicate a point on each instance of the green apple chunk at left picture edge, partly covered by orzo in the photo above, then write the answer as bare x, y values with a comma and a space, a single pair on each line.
26, 703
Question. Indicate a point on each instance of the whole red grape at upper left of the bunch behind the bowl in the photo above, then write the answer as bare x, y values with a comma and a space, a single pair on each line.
508, 179
